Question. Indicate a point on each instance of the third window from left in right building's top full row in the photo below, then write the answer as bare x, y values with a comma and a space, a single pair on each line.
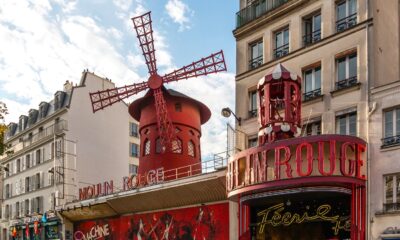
312, 29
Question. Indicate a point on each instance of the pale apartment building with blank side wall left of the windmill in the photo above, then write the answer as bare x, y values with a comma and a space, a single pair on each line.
57, 149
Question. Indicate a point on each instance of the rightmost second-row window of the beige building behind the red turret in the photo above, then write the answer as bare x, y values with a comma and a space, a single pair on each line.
346, 71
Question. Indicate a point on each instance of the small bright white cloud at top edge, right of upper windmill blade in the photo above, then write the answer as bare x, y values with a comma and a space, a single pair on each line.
178, 11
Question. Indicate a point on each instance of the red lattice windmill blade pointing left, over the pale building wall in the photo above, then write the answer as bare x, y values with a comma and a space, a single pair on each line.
108, 97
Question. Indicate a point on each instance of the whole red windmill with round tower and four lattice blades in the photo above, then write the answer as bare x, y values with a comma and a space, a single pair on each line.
170, 122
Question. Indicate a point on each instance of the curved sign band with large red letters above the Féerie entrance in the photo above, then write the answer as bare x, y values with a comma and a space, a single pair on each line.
323, 155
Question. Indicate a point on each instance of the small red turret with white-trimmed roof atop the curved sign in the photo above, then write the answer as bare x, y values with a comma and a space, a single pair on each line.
279, 99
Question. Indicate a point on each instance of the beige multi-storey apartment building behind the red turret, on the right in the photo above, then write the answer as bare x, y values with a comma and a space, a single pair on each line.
347, 53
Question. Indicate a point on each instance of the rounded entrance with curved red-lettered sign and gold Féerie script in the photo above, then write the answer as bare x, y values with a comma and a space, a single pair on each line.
301, 188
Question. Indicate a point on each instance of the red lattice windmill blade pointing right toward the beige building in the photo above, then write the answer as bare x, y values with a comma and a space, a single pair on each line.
211, 64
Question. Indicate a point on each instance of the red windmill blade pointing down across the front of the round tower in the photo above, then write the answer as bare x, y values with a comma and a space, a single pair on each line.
164, 123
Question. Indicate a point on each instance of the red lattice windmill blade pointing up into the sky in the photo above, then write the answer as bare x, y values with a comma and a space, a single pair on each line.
144, 32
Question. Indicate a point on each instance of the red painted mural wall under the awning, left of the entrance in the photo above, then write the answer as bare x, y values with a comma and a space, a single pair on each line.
203, 222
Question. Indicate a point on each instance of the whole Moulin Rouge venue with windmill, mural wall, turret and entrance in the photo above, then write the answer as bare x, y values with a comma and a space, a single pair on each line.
286, 187
